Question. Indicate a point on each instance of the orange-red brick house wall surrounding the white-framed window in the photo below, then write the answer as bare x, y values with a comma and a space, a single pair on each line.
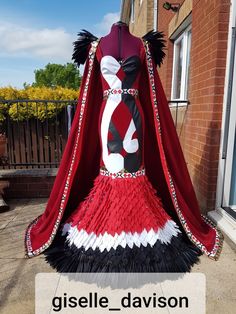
201, 127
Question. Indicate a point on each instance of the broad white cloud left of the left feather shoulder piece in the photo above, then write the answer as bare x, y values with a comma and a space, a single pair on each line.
51, 44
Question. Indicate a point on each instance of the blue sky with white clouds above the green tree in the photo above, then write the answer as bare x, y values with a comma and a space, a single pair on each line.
36, 32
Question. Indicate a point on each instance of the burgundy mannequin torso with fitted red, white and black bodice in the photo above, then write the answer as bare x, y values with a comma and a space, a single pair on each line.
121, 120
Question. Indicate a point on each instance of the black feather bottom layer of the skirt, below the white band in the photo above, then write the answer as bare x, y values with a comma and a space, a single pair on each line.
178, 256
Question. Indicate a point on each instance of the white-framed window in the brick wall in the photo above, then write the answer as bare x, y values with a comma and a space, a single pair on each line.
181, 66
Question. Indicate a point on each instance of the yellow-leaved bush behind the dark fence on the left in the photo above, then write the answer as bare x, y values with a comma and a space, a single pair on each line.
20, 111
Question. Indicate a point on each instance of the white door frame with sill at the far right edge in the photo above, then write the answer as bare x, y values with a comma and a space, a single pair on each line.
220, 216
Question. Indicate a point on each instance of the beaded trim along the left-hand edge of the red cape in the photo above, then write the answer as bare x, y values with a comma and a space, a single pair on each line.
29, 251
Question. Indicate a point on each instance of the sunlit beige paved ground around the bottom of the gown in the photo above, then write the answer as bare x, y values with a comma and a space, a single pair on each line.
17, 273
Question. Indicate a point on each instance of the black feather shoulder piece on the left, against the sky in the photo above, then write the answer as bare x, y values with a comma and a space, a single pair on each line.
81, 46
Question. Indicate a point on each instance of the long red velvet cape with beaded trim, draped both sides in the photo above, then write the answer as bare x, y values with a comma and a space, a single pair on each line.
164, 162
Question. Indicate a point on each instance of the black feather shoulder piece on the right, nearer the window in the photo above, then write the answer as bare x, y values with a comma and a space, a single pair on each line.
157, 41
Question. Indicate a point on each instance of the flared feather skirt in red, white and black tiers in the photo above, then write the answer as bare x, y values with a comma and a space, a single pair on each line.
121, 226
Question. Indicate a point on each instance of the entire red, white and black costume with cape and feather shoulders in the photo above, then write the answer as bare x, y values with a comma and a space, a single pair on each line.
122, 220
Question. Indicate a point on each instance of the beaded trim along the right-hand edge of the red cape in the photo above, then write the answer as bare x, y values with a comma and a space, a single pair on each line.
215, 252
